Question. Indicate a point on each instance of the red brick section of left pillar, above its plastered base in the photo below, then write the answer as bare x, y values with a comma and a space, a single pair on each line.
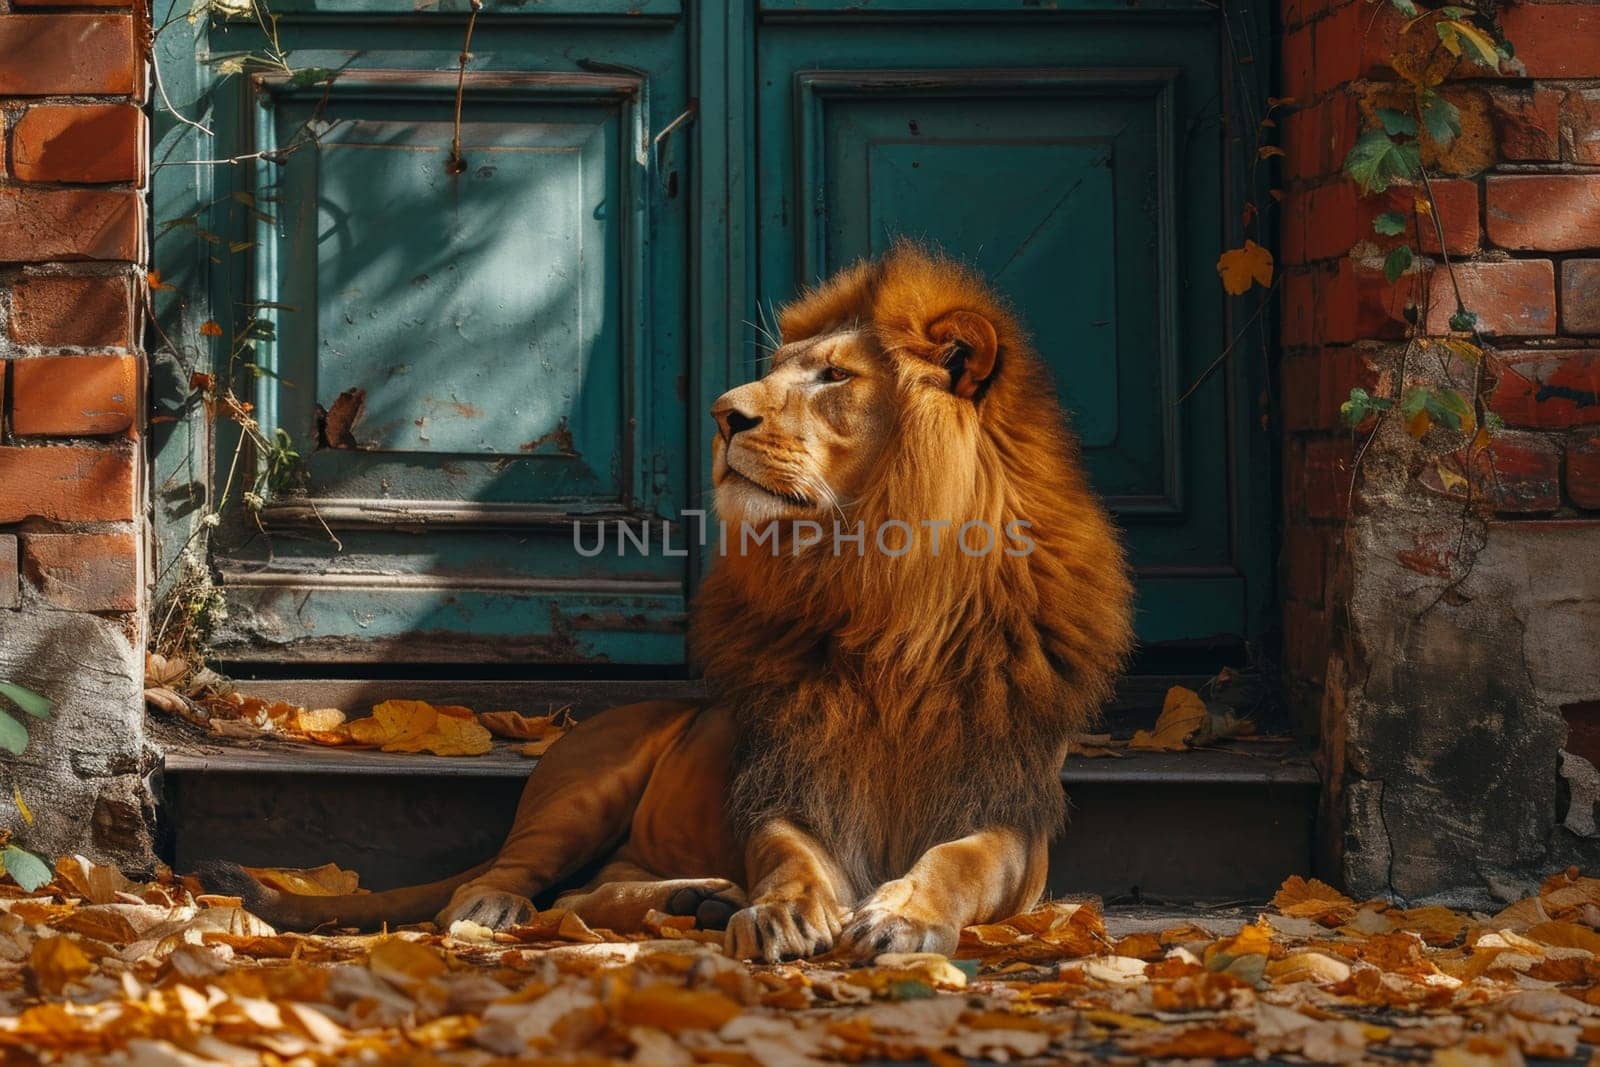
73, 258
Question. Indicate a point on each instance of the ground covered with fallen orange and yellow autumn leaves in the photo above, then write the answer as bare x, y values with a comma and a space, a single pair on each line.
95, 969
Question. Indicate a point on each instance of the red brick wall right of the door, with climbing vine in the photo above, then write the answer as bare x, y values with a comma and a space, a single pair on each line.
1521, 209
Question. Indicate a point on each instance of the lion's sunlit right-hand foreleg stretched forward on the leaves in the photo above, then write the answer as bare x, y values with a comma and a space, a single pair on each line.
978, 879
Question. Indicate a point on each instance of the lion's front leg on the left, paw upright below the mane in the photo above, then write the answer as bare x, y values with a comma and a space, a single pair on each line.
796, 897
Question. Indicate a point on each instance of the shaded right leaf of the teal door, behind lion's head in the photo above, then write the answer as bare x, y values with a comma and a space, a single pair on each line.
1079, 167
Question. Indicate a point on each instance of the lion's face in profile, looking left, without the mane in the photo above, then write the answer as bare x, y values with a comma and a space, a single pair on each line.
804, 441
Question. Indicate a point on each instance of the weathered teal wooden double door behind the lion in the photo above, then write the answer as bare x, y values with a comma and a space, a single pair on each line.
470, 356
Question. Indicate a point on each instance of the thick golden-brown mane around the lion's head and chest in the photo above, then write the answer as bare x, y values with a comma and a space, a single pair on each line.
889, 705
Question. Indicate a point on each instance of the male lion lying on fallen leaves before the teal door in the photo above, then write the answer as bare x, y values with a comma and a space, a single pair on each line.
878, 759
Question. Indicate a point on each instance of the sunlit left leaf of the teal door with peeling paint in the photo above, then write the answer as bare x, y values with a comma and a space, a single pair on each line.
468, 359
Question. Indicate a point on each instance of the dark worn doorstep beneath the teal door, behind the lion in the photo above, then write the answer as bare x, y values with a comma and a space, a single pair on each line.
1214, 825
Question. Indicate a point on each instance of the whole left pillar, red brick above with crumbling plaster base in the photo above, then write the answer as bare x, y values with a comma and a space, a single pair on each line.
73, 529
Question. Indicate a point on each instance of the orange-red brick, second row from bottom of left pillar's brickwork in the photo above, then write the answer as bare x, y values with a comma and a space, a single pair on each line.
66, 484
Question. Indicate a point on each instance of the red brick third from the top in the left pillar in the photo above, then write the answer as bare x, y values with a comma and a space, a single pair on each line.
44, 225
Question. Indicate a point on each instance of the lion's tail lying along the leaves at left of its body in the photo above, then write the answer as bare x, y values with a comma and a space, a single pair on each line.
295, 911
